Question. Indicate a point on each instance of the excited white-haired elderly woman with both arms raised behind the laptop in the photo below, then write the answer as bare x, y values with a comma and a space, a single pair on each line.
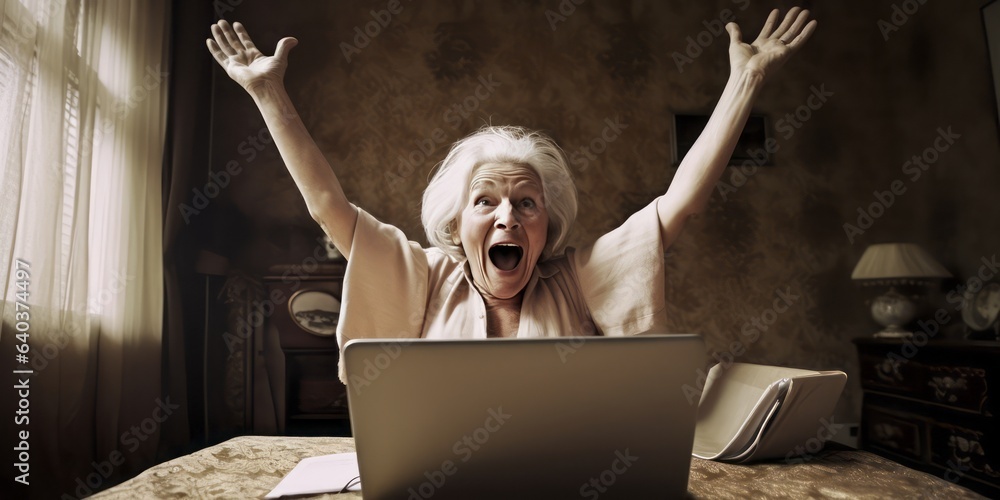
497, 212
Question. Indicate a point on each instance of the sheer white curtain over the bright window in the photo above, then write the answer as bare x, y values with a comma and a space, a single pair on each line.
82, 120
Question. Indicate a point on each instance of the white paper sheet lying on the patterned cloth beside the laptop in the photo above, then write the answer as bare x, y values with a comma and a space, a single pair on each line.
323, 474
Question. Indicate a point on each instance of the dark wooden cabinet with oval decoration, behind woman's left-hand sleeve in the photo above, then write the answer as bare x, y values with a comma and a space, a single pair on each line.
301, 352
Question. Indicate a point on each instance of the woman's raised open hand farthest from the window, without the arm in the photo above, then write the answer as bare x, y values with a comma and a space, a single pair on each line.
773, 45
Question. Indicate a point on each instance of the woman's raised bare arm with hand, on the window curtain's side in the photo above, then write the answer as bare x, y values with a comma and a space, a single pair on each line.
262, 77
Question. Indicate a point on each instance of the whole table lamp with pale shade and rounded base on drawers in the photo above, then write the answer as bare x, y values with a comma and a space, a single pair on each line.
892, 265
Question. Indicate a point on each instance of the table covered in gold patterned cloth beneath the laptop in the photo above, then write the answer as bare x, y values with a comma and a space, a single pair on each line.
250, 466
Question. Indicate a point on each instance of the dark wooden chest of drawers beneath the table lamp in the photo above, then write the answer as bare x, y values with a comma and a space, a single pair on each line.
934, 407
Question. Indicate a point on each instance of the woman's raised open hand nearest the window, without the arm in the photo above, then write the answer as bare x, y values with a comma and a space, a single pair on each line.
243, 62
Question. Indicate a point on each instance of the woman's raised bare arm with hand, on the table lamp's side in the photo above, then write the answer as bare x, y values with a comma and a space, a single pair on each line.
703, 165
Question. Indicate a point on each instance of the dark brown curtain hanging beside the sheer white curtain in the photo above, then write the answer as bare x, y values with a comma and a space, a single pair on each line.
186, 163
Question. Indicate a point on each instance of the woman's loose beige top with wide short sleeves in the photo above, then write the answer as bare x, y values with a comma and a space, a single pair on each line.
393, 288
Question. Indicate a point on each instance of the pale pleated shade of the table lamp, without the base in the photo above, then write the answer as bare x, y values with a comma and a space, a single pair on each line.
887, 261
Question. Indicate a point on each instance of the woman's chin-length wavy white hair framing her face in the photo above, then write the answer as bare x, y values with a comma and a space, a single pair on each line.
448, 189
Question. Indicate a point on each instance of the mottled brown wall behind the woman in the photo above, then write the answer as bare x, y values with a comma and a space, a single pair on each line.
863, 100
